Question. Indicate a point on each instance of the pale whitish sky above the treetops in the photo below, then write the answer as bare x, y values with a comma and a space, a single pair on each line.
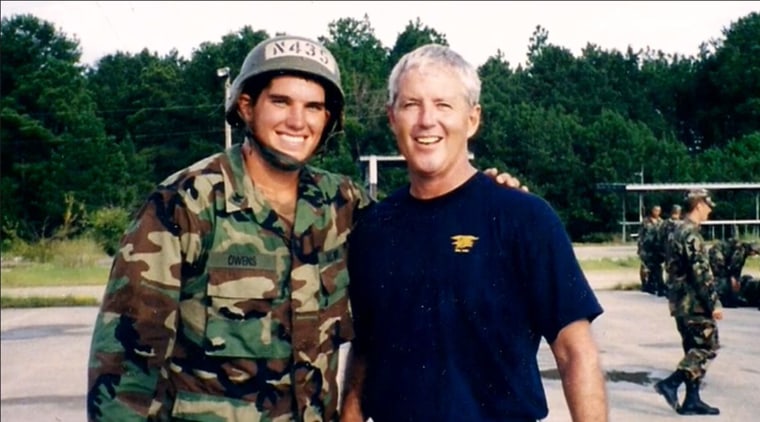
475, 29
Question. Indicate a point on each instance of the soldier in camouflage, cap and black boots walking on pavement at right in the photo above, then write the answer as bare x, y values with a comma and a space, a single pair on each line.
694, 303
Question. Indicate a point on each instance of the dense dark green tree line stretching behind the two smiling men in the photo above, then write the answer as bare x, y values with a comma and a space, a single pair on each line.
83, 145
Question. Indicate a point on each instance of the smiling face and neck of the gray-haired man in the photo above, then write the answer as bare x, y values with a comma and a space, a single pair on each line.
433, 121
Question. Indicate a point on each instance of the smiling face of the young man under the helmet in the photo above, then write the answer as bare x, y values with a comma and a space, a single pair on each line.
289, 115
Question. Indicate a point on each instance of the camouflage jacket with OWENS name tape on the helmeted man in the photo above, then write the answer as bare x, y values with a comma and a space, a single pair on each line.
213, 311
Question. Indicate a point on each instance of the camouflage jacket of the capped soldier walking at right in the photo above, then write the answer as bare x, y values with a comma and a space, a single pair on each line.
692, 286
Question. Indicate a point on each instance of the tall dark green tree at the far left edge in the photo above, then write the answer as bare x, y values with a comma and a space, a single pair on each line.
54, 145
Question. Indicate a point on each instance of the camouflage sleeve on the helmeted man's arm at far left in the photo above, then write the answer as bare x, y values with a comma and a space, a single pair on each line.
137, 322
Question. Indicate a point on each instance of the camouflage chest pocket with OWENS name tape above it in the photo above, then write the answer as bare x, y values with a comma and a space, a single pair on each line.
245, 308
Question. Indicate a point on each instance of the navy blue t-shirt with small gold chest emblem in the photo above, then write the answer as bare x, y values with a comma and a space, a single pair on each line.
451, 297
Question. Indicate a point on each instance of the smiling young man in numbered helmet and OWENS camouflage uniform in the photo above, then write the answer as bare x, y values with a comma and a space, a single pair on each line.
227, 299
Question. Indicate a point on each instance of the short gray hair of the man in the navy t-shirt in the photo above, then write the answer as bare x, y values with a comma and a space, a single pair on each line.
439, 56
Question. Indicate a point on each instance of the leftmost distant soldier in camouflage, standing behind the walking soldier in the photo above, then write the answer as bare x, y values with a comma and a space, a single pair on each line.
650, 253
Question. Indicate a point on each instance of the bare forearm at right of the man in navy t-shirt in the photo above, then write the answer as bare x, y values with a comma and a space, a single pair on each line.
583, 383
